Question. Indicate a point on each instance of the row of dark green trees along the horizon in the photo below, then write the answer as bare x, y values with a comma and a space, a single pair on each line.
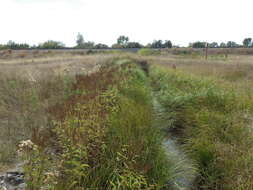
122, 42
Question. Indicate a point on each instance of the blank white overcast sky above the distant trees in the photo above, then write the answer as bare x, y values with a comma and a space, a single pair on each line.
103, 21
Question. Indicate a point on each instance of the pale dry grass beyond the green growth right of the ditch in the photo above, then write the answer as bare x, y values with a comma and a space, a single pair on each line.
236, 71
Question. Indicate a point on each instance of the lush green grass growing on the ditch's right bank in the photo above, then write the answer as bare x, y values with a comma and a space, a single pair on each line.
213, 123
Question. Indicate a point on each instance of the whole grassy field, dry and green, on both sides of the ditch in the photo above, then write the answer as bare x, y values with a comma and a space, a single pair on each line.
94, 124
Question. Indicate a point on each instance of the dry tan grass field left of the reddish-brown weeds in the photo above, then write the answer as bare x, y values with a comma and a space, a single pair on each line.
28, 87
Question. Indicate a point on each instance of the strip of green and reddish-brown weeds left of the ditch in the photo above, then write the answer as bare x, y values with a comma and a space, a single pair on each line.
102, 135
